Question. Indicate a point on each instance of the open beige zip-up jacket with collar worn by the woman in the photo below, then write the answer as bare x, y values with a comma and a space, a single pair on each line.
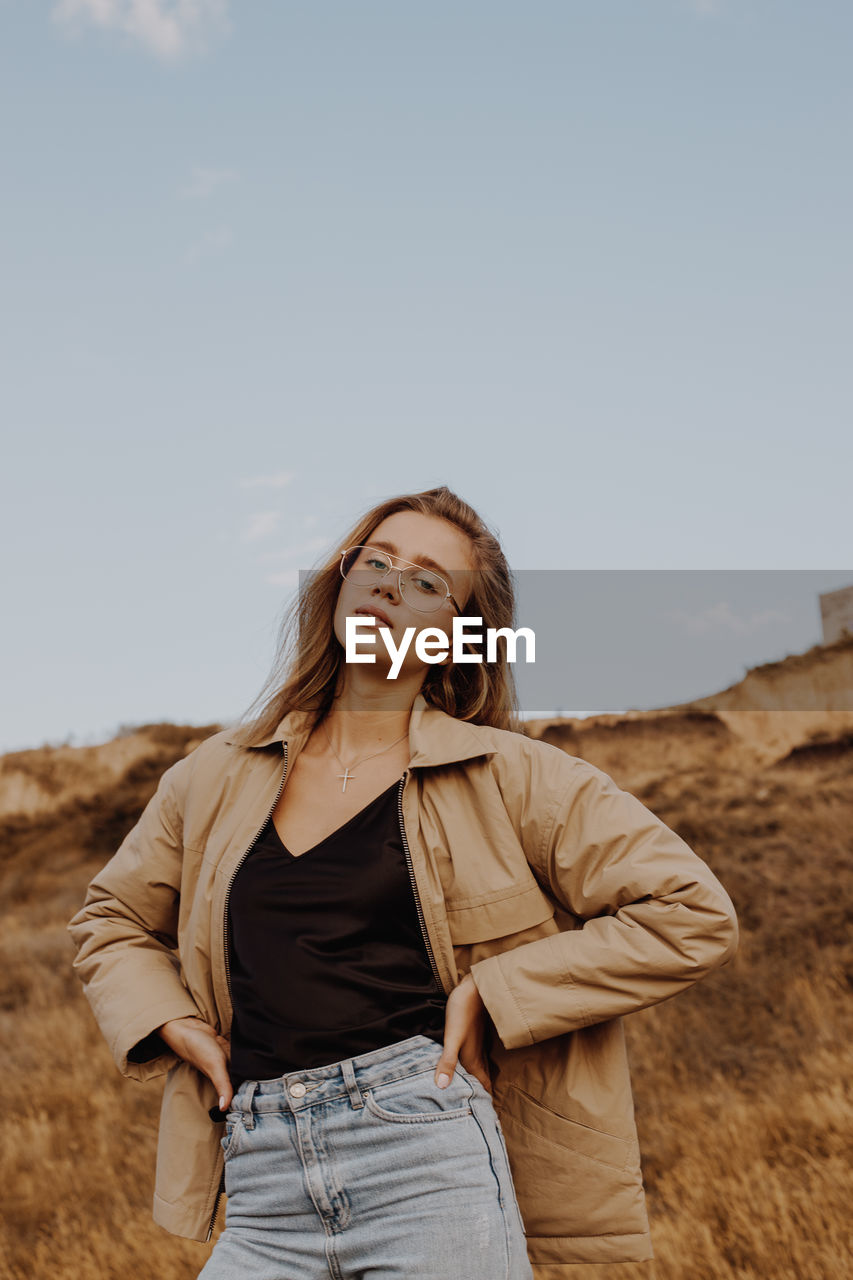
569, 902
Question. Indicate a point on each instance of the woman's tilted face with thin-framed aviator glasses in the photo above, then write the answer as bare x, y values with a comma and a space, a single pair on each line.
425, 541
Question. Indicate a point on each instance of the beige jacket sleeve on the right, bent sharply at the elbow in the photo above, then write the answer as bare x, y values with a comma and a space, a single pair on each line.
653, 917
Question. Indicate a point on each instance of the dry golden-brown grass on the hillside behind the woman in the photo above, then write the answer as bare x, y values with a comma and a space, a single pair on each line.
743, 1085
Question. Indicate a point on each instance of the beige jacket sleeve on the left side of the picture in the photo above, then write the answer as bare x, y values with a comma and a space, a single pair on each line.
126, 936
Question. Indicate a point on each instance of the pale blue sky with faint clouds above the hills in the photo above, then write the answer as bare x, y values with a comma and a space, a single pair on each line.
268, 264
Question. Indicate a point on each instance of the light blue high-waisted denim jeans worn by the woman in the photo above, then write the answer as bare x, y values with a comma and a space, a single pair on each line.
367, 1171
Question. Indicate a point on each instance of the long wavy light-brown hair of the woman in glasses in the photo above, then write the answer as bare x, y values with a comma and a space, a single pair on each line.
309, 657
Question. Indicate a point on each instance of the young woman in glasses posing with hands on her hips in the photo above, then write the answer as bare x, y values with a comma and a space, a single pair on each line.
382, 943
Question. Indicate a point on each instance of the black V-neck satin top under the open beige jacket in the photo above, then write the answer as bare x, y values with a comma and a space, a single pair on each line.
326, 953
